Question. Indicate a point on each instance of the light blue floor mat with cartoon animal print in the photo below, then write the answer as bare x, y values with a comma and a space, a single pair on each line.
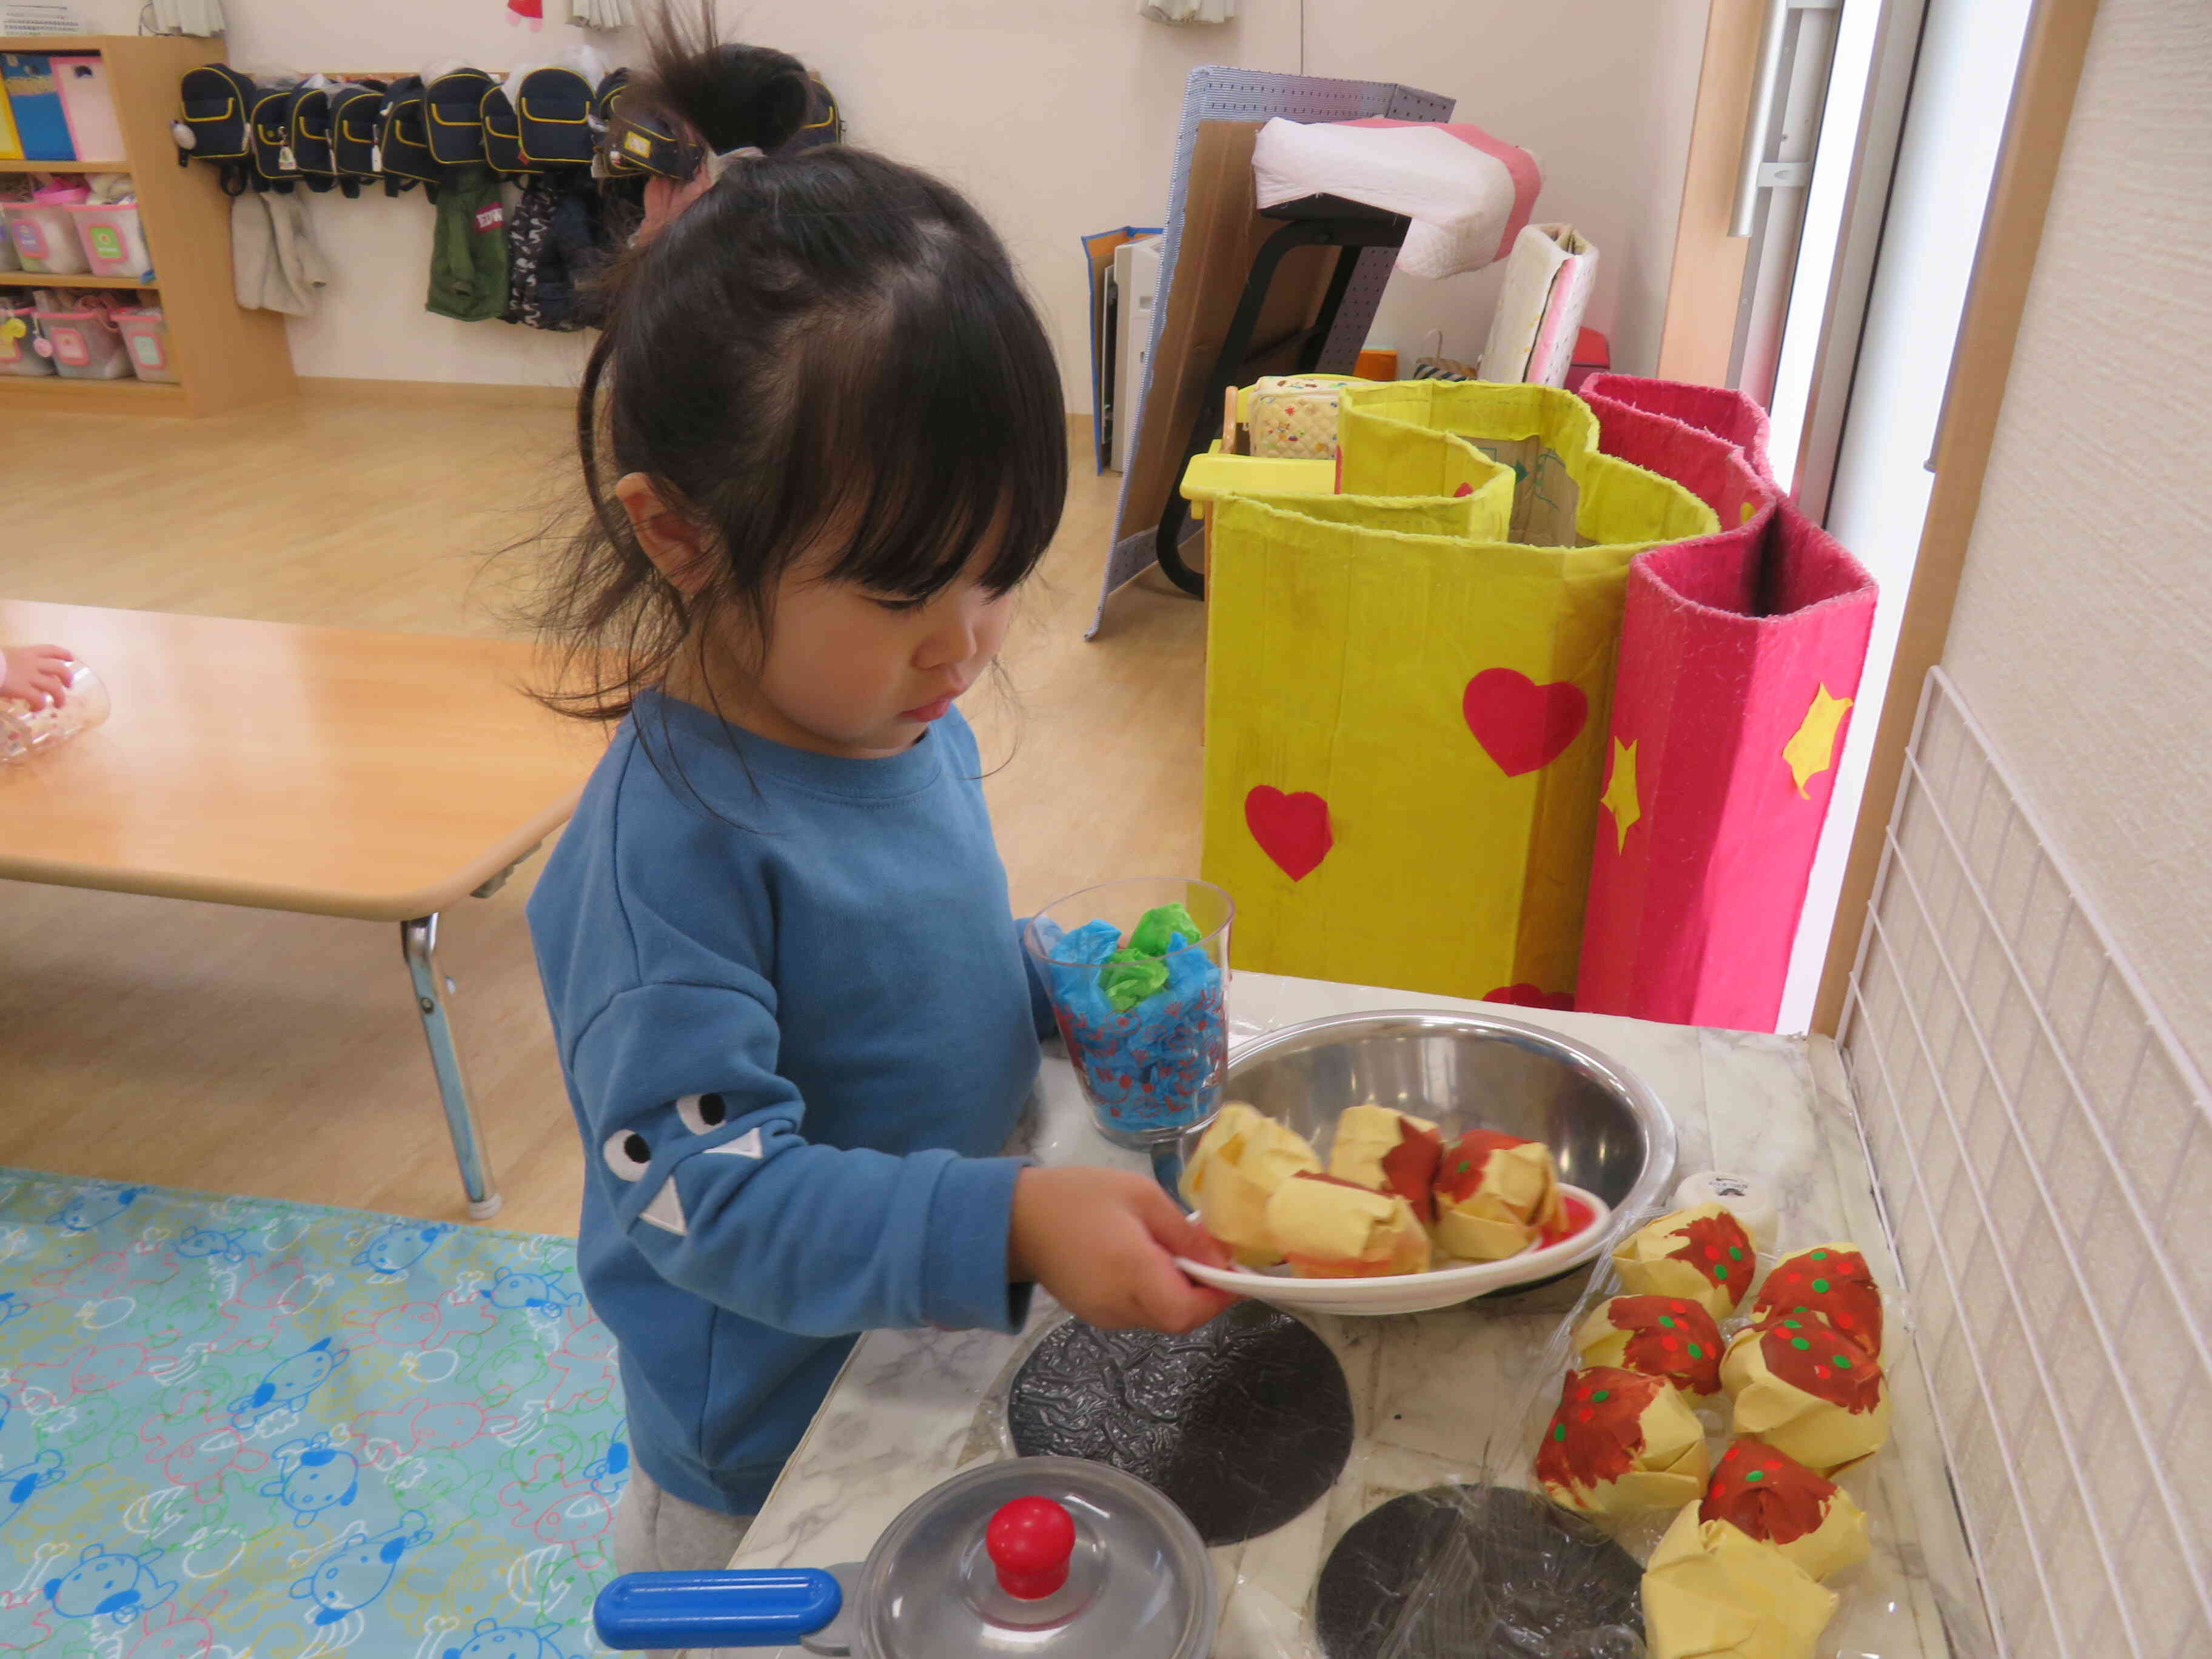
247, 1428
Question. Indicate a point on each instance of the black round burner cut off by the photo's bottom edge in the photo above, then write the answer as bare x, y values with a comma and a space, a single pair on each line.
1527, 1583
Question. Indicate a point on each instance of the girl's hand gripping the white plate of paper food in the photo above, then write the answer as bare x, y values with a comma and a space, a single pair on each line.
1105, 1244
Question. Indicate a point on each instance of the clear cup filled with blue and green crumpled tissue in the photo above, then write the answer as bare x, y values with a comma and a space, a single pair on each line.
1147, 1034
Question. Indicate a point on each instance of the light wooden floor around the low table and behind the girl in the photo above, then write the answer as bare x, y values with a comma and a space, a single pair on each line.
258, 1052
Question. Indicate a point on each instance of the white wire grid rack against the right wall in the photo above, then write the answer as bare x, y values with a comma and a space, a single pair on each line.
2043, 1154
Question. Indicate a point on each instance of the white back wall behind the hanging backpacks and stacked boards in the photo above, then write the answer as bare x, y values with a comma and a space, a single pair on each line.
1058, 118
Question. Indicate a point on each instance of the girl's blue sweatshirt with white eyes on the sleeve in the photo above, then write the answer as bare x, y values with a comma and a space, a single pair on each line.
795, 1025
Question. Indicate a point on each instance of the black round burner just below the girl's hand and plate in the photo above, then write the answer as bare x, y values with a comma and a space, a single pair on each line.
1242, 1423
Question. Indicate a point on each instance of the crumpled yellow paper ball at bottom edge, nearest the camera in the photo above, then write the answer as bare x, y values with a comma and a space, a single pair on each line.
1711, 1592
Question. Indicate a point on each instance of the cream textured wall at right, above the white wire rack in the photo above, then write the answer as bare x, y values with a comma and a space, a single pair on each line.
2085, 627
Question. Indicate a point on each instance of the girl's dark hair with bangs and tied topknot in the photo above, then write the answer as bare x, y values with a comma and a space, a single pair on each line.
822, 359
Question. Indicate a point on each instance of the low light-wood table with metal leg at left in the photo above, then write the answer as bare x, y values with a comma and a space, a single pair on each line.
371, 775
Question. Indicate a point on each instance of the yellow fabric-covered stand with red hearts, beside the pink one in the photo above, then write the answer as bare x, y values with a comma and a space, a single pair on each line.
1408, 698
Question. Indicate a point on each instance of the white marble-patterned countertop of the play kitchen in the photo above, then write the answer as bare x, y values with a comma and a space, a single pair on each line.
1437, 1397
